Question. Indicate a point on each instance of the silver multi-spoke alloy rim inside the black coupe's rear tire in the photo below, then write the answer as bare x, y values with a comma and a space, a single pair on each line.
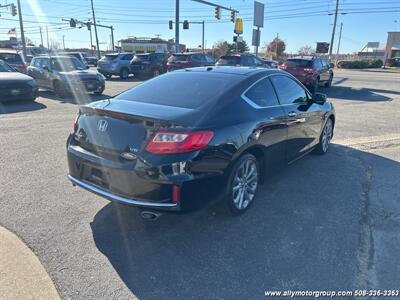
245, 184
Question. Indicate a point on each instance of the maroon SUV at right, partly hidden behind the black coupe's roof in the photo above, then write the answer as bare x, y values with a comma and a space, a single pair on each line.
309, 70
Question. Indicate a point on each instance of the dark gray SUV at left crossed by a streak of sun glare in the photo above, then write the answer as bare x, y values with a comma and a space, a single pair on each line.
64, 75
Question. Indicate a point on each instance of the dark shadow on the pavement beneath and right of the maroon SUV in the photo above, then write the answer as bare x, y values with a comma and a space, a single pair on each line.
362, 94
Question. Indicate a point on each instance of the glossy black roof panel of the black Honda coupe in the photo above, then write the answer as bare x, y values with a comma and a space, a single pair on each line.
244, 71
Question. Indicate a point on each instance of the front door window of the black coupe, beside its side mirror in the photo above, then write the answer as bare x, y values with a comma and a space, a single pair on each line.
289, 91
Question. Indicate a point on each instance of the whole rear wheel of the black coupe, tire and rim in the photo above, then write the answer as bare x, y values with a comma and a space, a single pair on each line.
242, 188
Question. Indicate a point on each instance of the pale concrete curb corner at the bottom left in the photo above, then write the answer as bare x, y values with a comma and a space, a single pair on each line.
22, 276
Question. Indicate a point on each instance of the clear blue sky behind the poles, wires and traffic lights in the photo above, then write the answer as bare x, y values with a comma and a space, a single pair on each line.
298, 22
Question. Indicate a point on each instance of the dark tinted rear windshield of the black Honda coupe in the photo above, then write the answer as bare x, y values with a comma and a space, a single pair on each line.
172, 89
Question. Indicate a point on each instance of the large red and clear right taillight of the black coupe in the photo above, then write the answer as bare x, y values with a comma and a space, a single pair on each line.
173, 142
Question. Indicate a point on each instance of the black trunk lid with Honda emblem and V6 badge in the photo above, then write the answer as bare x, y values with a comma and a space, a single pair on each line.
111, 128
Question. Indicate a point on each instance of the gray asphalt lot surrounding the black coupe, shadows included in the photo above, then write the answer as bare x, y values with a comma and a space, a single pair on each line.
324, 223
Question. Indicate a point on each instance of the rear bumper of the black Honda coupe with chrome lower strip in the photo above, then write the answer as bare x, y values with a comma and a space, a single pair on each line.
134, 183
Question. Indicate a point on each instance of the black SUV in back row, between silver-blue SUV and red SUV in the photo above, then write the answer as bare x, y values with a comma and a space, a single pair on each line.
151, 64
